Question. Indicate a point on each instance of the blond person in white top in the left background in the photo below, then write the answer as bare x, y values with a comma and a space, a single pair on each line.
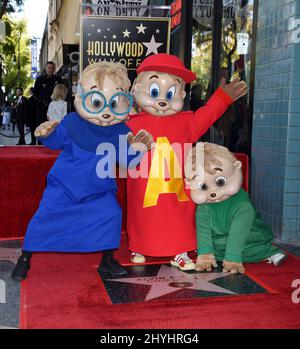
58, 107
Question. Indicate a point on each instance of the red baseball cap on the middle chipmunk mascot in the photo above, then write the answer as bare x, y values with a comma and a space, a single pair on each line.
165, 63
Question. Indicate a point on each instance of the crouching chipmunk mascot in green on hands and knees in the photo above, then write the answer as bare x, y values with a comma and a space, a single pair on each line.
229, 228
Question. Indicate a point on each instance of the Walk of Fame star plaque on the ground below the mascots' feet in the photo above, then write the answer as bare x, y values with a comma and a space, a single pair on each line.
163, 282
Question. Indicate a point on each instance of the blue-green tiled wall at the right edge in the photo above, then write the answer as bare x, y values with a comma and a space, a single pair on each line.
276, 118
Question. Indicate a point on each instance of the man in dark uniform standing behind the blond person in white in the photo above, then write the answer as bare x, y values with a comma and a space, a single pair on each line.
43, 90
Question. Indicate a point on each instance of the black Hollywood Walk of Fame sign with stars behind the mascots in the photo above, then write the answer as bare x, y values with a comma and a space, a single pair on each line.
126, 40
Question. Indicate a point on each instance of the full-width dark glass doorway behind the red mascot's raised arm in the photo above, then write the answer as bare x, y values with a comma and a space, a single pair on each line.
223, 45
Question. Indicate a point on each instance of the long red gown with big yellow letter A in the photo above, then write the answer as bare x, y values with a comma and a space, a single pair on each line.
161, 215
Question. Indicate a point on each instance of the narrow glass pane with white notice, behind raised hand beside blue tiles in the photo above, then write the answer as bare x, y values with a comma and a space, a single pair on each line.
234, 129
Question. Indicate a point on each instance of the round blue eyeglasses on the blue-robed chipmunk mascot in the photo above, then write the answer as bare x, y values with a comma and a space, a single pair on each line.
94, 102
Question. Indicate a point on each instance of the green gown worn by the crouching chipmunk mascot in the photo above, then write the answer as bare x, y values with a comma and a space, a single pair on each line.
233, 230
